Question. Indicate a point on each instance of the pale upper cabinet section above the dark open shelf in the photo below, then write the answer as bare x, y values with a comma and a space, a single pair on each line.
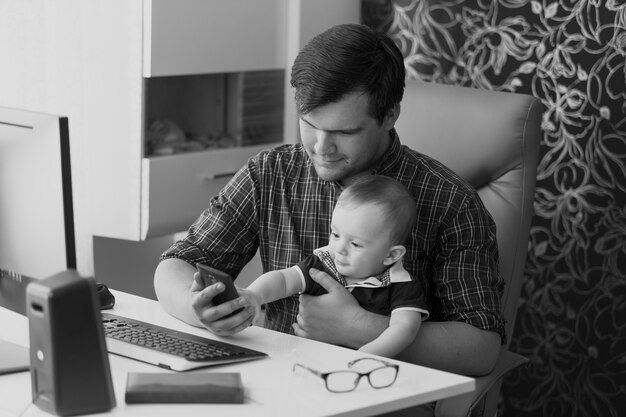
213, 36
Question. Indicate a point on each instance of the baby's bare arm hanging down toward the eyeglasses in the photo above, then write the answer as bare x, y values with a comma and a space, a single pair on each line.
403, 327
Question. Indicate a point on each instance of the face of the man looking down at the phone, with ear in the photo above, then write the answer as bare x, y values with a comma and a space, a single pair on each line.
343, 140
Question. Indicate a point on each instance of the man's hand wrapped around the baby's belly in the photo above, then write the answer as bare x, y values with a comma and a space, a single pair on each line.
336, 317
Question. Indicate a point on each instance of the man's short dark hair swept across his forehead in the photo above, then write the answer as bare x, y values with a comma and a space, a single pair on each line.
345, 59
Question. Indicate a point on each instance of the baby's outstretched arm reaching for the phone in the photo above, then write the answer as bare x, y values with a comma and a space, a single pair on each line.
272, 286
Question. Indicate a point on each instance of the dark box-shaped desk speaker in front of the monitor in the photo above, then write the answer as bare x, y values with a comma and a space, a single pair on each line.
70, 371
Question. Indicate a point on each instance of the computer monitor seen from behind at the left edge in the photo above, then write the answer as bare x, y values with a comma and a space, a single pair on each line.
36, 208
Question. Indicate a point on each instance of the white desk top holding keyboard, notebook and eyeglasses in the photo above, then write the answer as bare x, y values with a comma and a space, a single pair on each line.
271, 387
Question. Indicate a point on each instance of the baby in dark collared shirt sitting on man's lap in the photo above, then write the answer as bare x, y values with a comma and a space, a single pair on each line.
371, 220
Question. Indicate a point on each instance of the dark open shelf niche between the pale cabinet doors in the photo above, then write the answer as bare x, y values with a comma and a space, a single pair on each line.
213, 111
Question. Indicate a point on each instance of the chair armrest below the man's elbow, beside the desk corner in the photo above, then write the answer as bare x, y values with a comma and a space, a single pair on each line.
462, 405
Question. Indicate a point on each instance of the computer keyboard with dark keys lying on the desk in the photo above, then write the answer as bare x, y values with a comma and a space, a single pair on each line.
168, 348
